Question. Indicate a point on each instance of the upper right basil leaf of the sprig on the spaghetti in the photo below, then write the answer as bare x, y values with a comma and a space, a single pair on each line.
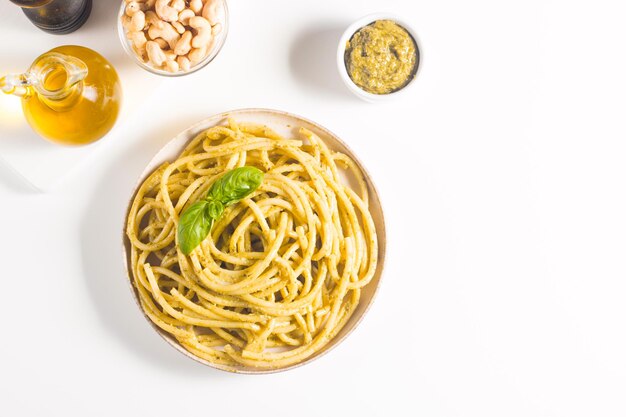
235, 185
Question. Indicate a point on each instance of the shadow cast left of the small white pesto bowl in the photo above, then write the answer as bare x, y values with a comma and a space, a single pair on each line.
313, 58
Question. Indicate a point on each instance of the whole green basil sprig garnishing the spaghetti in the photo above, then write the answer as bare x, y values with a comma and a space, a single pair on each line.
196, 221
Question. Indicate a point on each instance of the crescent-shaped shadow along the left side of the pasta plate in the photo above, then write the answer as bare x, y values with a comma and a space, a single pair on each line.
101, 235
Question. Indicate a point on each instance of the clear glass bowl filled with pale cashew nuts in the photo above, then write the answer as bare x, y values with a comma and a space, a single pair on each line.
173, 35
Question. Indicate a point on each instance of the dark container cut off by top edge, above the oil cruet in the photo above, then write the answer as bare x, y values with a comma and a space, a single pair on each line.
56, 16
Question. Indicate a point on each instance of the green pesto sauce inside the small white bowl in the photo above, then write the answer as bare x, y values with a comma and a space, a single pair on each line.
381, 57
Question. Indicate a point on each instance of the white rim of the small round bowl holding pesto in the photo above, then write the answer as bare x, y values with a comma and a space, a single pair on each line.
341, 64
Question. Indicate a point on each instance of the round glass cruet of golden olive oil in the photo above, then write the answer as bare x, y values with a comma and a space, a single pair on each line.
70, 95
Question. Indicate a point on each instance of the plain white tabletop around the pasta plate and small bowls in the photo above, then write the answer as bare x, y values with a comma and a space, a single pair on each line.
502, 177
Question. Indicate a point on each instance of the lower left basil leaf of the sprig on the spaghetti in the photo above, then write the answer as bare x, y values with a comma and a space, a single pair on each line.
194, 226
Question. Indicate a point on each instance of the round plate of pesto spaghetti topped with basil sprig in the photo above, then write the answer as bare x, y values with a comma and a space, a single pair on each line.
255, 241
